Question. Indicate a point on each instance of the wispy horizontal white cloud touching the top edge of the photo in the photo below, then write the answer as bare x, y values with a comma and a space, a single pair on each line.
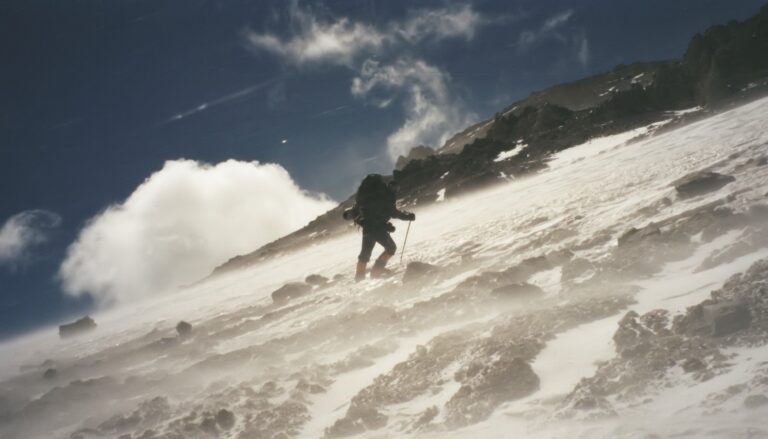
342, 40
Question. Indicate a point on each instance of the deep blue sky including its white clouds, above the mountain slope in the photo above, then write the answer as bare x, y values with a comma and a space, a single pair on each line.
116, 116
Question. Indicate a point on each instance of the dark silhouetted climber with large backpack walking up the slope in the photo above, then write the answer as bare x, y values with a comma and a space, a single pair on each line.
374, 207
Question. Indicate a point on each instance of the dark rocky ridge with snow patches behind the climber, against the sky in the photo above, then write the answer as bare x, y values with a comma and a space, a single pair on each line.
725, 63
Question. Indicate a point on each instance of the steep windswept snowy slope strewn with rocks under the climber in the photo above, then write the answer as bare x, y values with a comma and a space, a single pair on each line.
461, 352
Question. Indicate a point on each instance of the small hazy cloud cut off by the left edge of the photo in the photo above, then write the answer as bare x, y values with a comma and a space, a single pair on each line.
22, 232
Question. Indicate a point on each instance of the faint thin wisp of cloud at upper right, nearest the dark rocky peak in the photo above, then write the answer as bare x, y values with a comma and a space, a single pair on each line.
553, 29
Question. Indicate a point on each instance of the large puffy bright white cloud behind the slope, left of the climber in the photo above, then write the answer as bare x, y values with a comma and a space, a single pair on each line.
182, 222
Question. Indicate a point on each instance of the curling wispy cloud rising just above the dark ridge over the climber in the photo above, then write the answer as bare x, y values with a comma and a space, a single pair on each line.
432, 113
